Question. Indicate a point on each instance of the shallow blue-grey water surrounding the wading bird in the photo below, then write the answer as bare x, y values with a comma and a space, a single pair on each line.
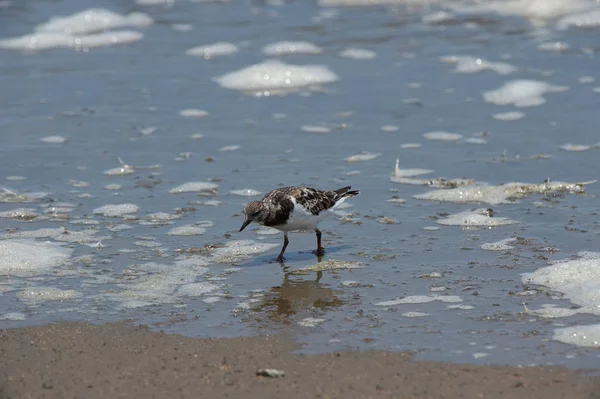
461, 302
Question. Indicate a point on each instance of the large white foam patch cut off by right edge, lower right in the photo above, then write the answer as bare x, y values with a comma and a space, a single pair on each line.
578, 280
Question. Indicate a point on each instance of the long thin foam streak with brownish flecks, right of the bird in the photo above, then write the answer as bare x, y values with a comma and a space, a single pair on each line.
503, 194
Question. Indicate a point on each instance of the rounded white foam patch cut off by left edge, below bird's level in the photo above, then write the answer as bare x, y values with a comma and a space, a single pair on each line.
24, 258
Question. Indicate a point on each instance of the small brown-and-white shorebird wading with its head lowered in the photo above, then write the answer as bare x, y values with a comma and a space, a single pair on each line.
295, 208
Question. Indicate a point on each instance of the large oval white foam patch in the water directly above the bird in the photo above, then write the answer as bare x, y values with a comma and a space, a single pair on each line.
276, 76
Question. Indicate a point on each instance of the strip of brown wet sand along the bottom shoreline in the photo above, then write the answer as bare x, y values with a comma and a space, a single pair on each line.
119, 361
